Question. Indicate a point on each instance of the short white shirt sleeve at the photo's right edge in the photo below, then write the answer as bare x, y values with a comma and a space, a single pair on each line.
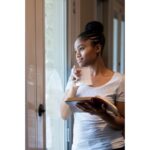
120, 96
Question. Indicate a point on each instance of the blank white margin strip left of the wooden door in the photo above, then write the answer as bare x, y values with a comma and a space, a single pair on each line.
12, 77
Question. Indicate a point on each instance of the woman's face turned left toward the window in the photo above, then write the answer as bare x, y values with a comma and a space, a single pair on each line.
86, 54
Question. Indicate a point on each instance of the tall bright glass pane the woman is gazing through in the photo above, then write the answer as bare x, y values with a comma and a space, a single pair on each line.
55, 56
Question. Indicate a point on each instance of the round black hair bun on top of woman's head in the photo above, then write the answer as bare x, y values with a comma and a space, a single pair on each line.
94, 27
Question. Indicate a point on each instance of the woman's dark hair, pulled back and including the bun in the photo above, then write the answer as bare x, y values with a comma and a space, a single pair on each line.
94, 32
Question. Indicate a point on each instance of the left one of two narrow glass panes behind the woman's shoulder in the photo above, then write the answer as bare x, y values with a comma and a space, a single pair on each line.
115, 44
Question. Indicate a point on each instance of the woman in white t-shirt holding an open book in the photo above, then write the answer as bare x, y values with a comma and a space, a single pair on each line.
94, 129
